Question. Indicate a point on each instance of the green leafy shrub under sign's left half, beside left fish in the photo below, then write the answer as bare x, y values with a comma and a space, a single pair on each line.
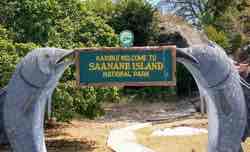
69, 100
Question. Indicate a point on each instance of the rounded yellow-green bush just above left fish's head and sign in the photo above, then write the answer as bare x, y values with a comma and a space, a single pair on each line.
88, 31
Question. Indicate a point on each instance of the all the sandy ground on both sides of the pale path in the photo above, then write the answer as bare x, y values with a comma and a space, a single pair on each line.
82, 135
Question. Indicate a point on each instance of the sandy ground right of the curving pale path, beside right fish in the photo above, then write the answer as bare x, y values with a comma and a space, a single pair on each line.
195, 143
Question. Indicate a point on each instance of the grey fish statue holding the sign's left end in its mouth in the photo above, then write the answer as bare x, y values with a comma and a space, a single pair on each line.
27, 94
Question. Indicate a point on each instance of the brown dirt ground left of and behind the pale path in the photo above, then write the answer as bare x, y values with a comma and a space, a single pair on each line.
91, 135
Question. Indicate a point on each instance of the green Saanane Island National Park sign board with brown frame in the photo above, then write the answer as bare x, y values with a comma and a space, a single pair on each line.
136, 66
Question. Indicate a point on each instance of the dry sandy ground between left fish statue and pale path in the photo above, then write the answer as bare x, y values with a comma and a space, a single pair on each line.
81, 136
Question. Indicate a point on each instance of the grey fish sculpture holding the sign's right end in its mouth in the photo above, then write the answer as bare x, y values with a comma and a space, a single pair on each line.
218, 79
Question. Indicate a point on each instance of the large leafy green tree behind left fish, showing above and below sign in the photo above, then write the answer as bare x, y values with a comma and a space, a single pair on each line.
55, 23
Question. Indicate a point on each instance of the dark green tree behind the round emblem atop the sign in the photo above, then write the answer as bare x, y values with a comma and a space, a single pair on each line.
139, 17
